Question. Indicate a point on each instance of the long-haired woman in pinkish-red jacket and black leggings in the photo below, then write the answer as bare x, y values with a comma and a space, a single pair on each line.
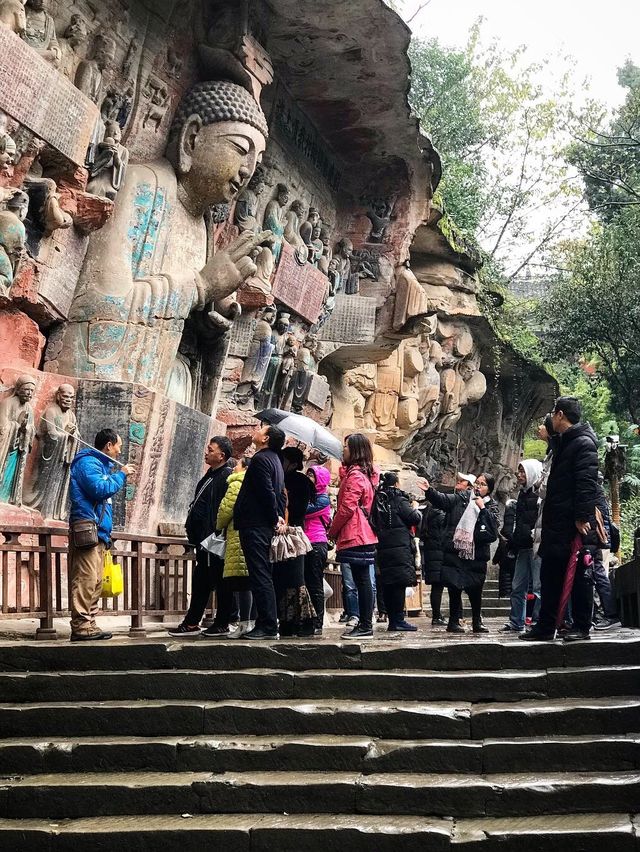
355, 539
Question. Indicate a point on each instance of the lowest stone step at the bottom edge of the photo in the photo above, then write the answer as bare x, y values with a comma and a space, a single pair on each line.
318, 832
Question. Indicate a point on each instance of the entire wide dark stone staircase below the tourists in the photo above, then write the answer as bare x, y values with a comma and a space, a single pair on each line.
465, 743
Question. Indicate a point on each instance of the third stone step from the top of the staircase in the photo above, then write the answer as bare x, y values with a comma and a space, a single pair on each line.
398, 720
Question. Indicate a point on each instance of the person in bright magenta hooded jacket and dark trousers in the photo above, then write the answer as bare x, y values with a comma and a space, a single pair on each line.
316, 523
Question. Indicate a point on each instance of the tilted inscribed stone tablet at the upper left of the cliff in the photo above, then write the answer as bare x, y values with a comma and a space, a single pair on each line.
43, 100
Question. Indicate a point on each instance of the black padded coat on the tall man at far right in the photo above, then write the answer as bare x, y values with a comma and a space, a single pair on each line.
571, 492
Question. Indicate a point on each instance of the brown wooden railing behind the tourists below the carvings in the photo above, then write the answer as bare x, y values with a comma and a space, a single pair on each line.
156, 572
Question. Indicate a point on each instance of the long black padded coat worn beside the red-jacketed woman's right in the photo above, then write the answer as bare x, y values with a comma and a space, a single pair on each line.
392, 519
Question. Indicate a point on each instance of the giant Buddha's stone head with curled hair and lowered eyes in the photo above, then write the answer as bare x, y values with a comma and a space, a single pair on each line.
218, 136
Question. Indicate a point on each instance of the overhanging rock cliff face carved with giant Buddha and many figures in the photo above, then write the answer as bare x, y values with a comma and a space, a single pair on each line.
178, 269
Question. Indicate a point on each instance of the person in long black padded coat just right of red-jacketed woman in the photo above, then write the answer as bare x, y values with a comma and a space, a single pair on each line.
393, 517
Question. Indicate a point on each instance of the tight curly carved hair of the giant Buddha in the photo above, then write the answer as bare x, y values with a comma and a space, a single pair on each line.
219, 100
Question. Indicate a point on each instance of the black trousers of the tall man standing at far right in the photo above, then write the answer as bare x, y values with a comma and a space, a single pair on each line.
553, 571
